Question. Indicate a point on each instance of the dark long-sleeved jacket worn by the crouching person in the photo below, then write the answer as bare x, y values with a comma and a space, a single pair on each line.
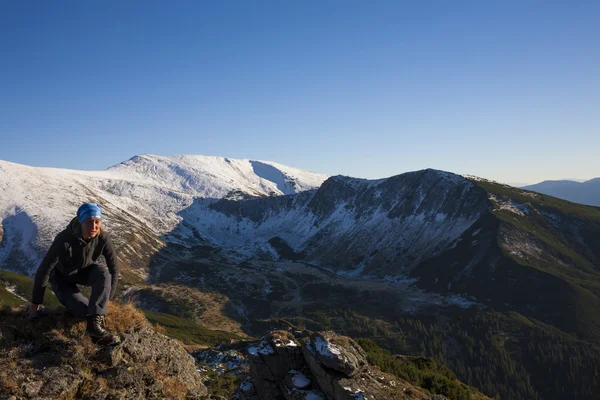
70, 253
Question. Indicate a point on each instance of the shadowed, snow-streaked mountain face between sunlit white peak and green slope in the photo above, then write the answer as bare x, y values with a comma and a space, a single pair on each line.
350, 225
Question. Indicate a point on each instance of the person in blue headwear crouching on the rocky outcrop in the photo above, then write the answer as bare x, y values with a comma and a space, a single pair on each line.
71, 260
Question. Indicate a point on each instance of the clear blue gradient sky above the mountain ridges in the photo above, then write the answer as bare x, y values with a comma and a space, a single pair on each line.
506, 90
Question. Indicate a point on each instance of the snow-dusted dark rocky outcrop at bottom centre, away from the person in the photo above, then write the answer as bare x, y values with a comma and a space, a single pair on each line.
300, 365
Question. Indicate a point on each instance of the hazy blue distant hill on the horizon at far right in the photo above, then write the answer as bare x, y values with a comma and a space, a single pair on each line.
587, 192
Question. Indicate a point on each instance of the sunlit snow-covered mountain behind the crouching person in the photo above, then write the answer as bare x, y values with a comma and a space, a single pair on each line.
141, 197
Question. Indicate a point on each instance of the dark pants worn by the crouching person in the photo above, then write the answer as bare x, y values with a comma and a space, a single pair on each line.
67, 292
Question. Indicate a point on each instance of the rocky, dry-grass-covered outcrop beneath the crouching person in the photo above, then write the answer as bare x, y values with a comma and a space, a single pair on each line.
53, 358
